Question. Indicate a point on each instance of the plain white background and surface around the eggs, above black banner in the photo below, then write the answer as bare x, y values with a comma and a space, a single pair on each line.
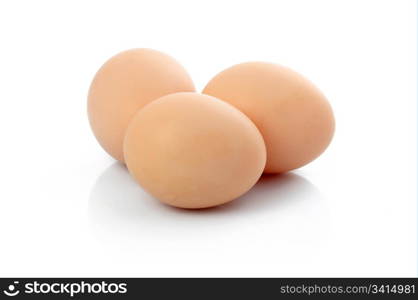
67, 209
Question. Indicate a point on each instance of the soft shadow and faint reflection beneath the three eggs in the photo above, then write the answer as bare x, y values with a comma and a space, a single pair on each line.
119, 208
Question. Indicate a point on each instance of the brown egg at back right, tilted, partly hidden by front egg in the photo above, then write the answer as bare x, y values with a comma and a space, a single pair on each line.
293, 116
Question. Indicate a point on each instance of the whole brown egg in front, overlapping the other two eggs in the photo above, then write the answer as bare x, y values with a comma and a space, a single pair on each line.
194, 151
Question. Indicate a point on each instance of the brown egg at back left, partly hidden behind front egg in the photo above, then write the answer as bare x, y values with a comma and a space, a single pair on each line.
124, 84
